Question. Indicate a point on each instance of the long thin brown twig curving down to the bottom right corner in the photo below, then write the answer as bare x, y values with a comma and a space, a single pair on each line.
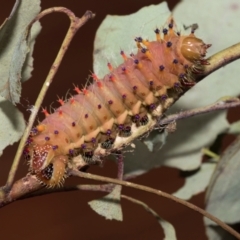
157, 192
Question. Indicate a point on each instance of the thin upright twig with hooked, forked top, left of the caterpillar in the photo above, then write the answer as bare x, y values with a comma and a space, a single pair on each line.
75, 24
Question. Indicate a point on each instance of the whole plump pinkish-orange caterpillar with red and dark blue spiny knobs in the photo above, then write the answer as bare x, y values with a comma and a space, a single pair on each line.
111, 112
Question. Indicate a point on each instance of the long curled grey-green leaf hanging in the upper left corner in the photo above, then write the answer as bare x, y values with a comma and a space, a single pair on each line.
15, 48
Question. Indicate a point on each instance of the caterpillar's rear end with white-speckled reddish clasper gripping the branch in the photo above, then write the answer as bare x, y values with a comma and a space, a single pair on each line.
48, 167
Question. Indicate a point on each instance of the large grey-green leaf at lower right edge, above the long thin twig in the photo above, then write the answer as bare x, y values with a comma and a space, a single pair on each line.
223, 194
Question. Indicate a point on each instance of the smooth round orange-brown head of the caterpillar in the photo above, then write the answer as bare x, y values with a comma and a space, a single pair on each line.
193, 48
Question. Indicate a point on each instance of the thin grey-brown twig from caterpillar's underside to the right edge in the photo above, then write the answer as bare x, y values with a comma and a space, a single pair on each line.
219, 105
